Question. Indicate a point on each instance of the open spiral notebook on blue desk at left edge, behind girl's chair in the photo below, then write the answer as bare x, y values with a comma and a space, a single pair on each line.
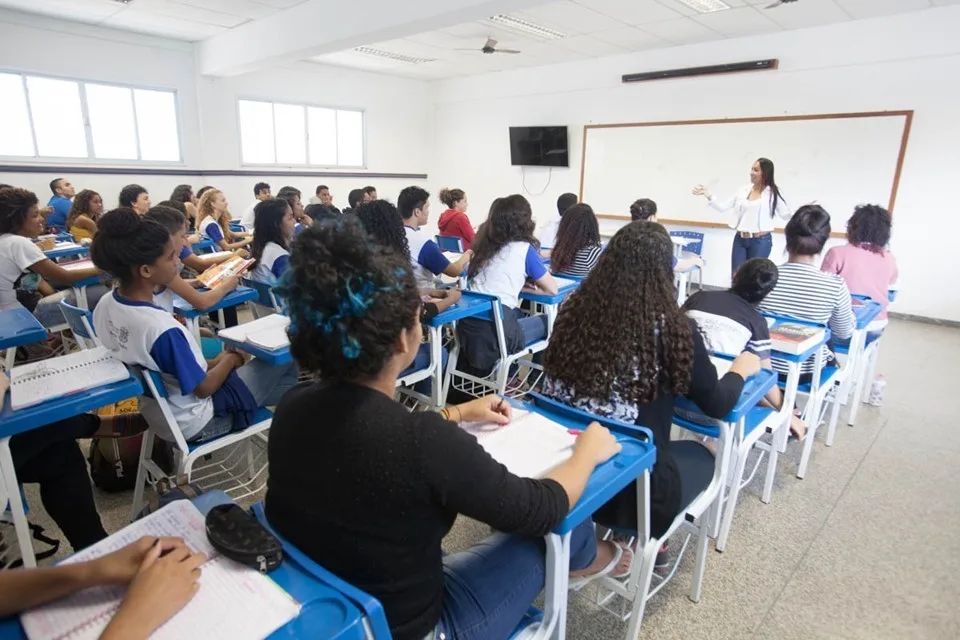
38, 382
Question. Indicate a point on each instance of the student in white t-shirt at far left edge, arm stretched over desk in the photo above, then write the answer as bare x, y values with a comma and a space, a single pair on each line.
23, 264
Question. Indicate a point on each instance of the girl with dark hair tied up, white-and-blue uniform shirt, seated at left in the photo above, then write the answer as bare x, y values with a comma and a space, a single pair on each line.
208, 398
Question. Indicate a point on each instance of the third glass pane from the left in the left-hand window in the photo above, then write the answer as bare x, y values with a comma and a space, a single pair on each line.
111, 122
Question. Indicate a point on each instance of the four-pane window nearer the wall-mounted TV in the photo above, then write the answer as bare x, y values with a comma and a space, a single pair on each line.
293, 134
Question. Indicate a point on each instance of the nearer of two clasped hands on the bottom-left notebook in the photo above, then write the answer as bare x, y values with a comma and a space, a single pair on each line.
161, 588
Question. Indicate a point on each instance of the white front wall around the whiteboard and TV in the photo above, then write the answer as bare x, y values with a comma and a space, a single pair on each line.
909, 61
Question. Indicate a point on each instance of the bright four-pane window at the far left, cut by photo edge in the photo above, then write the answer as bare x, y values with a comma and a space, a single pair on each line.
44, 117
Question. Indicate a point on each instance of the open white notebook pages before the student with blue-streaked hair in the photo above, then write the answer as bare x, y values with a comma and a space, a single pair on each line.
531, 446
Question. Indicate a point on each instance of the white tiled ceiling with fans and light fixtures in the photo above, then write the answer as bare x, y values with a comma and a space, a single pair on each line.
591, 28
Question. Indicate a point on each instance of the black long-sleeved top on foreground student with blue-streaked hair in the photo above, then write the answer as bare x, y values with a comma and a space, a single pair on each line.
368, 490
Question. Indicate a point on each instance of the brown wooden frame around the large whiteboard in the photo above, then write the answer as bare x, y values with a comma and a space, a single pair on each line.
907, 124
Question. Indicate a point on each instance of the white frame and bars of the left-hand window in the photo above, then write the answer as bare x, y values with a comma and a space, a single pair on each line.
37, 159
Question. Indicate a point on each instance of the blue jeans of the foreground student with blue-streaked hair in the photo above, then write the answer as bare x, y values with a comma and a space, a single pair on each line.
490, 586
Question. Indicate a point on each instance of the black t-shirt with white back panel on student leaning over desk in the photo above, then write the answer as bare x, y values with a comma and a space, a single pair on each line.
729, 324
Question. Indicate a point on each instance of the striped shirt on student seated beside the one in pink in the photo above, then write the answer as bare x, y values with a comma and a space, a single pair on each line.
806, 293
